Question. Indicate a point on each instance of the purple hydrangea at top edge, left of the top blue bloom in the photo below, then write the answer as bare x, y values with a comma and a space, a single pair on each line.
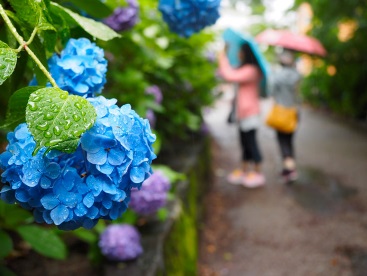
123, 18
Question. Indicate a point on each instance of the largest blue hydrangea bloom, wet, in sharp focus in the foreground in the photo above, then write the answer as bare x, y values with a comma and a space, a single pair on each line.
75, 190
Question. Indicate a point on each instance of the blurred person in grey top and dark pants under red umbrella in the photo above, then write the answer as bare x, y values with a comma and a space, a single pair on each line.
284, 82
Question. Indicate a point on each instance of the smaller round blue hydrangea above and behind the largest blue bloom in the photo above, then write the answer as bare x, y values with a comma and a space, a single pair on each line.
80, 68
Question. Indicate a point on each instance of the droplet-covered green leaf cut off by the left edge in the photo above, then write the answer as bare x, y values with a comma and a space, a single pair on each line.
8, 61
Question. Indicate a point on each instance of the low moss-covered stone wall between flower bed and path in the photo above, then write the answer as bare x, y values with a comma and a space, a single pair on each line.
171, 246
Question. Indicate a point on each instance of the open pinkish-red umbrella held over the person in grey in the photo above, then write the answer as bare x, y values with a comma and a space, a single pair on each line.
292, 41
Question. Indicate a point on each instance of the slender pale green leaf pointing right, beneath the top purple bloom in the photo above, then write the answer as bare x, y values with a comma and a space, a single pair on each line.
94, 28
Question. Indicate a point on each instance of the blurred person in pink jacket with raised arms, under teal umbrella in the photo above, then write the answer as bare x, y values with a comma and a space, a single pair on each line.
247, 112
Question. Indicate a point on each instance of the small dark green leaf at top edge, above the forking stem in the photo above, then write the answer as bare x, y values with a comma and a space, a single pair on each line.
27, 11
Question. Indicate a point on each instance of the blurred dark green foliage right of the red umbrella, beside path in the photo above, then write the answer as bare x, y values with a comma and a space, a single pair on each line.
346, 91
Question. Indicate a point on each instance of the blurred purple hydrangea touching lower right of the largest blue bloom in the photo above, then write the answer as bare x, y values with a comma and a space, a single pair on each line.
151, 196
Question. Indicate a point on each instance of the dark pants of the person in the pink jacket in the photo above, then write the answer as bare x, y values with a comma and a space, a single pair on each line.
250, 149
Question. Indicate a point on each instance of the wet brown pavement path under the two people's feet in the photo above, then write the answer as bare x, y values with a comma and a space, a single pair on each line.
316, 226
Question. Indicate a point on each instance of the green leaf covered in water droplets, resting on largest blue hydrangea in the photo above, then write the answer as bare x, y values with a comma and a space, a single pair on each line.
57, 119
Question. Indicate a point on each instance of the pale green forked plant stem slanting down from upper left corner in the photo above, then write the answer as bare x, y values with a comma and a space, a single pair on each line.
23, 44
